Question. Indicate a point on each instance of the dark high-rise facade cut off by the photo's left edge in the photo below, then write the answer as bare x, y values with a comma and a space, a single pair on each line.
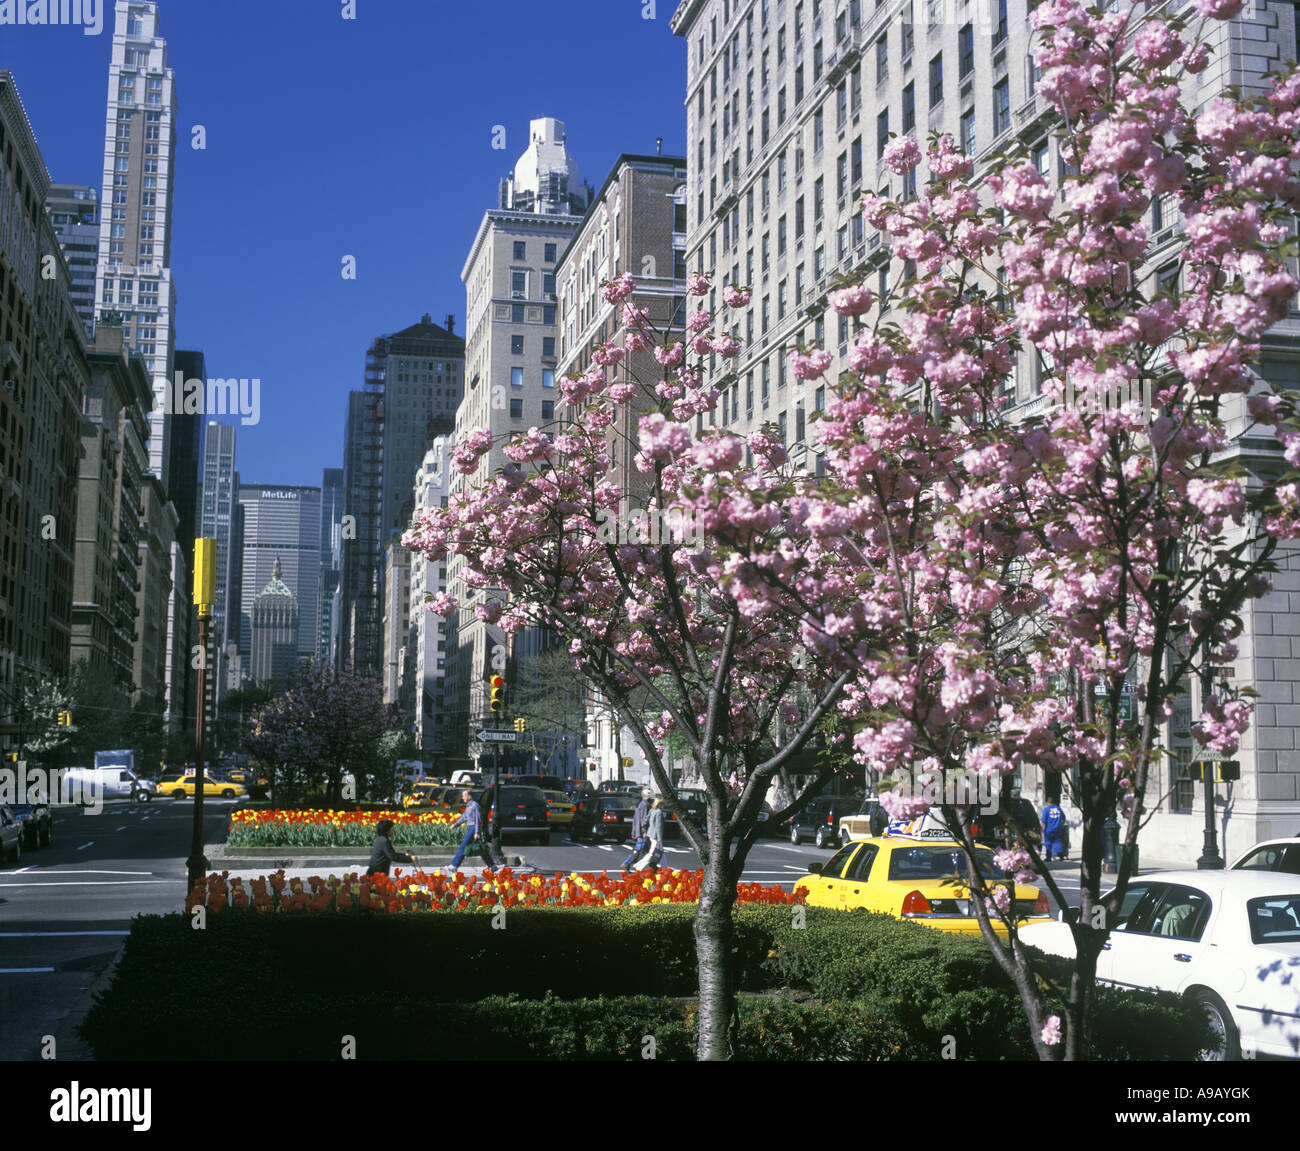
45, 375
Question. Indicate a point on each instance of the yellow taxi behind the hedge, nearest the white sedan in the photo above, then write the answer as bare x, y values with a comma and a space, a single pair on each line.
916, 880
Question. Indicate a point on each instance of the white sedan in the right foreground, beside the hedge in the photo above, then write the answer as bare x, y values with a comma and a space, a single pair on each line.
1228, 940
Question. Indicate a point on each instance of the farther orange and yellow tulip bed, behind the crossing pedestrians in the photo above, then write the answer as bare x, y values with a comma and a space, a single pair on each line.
252, 828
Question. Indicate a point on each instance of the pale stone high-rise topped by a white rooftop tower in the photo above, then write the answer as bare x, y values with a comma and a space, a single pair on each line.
512, 360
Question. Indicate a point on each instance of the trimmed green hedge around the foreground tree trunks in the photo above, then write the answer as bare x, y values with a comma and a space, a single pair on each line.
579, 984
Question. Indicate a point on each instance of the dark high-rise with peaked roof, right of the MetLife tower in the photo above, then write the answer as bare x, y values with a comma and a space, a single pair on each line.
414, 384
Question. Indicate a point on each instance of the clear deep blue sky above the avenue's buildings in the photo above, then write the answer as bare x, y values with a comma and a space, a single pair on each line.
330, 139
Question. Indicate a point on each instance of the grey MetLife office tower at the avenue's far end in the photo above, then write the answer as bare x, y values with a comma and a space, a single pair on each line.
281, 540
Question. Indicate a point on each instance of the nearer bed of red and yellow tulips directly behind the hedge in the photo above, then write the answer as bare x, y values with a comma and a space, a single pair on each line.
421, 892
